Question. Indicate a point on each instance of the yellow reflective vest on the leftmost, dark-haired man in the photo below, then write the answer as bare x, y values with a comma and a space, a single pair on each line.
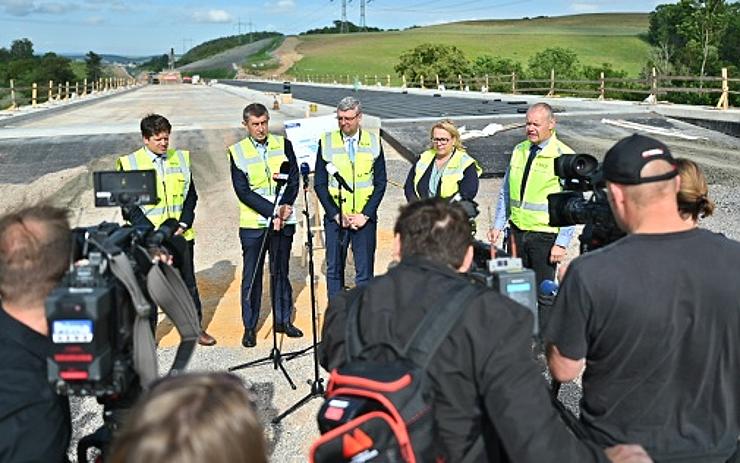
171, 190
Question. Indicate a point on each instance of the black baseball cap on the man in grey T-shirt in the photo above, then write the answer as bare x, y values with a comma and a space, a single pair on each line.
624, 161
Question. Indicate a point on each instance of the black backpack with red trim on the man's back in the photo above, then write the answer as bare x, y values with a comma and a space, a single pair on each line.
382, 411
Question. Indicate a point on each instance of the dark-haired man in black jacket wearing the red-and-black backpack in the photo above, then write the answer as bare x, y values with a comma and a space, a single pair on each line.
484, 379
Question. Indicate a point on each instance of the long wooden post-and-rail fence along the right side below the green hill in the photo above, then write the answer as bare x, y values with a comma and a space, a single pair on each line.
652, 89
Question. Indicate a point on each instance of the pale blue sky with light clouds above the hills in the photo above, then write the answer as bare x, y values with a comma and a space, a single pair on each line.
136, 28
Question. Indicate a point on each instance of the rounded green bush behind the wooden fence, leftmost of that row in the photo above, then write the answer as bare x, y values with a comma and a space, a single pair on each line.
429, 60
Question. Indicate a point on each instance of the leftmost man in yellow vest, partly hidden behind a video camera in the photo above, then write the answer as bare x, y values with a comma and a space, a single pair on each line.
177, 199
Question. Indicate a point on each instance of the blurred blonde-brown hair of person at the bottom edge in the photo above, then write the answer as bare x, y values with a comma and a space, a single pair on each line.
192, 418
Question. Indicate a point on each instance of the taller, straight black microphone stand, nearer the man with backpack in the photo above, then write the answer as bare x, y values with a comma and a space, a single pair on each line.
317, 386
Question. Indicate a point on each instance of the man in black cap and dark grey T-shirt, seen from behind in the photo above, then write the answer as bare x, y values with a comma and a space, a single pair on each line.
655, 318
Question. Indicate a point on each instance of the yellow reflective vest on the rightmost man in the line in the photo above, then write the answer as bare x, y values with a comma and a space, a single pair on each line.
530, 213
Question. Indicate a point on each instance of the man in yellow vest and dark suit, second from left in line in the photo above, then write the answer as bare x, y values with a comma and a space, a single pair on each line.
254, 161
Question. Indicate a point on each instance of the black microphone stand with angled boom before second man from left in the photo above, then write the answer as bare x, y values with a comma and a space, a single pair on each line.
275, 356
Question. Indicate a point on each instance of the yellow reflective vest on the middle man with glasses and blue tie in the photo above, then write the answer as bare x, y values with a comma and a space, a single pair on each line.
359, 174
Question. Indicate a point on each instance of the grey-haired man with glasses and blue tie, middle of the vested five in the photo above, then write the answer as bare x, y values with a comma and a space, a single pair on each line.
356, 156
